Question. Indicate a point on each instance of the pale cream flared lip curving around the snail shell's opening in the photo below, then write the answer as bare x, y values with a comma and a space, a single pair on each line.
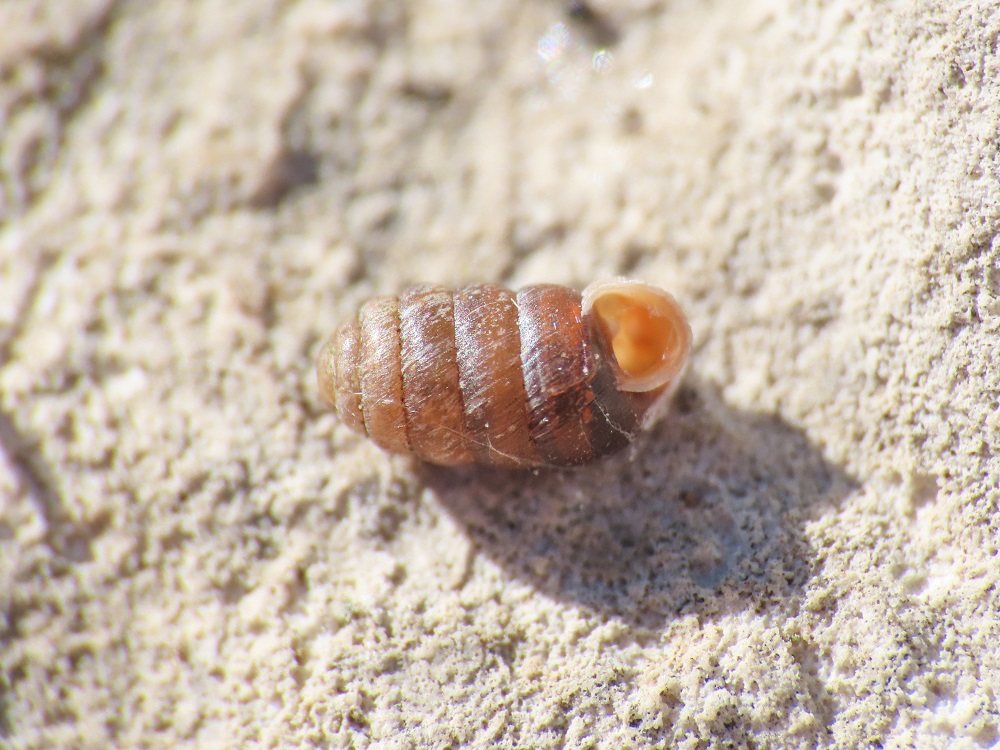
667, 374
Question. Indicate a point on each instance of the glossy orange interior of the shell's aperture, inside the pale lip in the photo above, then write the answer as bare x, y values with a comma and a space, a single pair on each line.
641, 336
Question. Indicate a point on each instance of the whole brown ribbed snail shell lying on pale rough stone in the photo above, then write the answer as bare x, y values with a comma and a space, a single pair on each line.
541, 377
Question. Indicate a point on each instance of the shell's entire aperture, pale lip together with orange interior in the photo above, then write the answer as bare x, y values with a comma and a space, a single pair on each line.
643, 329
